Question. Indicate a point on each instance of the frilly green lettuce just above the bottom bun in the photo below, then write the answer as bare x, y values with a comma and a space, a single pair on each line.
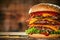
36, 31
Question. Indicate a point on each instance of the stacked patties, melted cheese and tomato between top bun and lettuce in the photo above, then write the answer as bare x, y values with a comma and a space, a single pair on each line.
45, 21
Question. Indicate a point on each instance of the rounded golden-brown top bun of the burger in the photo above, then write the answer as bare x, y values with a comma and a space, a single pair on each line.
45, 7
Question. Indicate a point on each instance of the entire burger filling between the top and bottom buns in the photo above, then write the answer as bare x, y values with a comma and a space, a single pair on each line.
44, 22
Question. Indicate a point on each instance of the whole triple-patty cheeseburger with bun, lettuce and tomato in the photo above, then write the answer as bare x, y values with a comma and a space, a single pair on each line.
44, 21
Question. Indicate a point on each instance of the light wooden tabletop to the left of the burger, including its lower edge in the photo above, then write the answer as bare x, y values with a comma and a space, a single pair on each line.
13, 35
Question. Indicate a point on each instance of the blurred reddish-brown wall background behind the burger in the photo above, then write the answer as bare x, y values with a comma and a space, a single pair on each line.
14, 13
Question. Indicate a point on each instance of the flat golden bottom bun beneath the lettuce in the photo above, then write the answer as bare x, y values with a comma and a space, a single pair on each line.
43, 36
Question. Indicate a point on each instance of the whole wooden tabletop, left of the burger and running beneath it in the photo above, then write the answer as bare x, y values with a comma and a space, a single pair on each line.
20, 36
